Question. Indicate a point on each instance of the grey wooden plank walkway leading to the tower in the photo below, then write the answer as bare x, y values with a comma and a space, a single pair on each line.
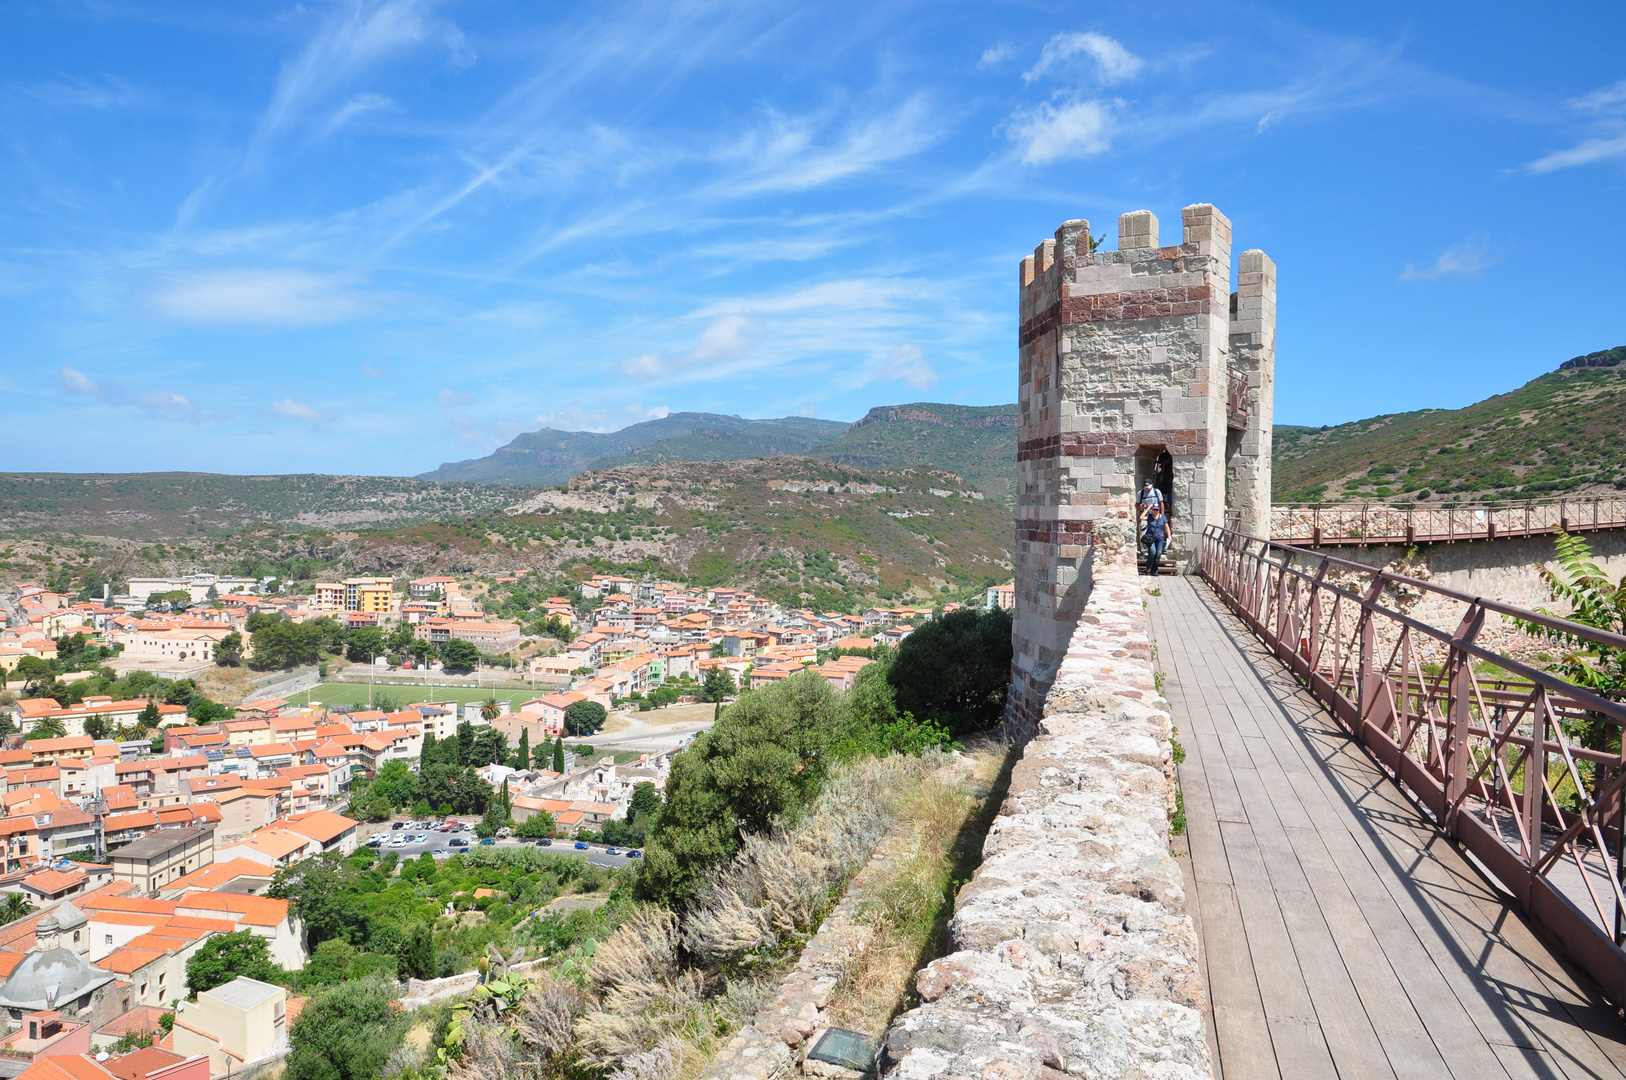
1342, 934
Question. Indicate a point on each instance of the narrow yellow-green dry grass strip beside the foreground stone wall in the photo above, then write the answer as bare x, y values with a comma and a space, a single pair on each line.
933, 851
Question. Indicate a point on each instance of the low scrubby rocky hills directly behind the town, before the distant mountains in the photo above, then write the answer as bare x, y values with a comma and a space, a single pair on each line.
791, 528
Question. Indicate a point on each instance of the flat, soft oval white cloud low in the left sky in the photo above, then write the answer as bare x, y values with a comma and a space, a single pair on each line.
256, 298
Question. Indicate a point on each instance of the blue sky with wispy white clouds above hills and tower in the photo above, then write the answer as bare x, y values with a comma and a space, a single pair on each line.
376, 237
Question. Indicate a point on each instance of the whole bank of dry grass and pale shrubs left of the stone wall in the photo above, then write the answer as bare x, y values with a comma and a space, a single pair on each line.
643, 1012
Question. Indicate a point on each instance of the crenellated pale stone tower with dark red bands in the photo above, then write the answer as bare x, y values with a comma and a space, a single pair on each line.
1136, 364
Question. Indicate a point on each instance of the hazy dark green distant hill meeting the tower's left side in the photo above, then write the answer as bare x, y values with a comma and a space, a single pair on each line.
976, 442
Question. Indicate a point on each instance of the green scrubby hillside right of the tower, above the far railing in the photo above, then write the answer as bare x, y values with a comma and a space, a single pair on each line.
1563, 433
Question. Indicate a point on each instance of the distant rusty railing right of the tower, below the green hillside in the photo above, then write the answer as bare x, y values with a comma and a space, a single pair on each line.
1342, 525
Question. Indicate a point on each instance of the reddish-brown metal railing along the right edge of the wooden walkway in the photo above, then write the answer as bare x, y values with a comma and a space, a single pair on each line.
1521, 767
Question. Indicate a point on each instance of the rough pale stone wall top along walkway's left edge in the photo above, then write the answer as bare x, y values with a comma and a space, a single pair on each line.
1074, 956
